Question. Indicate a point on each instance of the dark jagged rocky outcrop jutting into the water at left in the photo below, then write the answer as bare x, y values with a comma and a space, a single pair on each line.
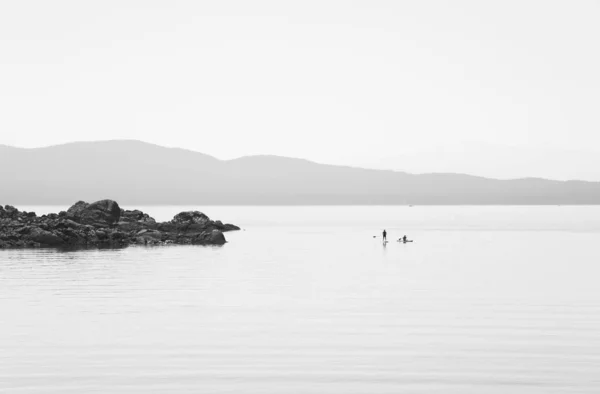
103, 223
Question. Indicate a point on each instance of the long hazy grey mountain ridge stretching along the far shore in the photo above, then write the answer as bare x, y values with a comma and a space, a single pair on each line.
134, 172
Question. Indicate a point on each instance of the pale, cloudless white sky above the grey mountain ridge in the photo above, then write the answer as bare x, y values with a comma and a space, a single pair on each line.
493, 88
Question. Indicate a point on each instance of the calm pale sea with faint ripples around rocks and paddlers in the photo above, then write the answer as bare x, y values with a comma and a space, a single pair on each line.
306, 300
